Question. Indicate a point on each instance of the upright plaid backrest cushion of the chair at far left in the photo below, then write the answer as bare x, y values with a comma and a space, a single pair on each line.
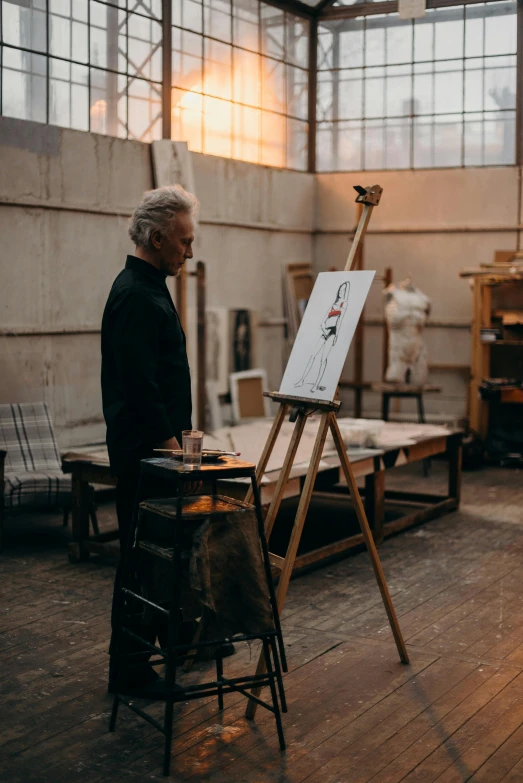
26, 433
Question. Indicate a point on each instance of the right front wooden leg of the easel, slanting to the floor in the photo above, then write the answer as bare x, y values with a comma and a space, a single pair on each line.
369, 541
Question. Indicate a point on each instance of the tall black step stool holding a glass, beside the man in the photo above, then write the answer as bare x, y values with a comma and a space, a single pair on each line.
176, 516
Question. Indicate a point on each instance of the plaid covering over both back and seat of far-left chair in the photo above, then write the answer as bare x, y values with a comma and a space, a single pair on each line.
33, 472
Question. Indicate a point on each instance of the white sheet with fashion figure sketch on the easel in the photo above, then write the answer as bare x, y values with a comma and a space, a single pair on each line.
325, 334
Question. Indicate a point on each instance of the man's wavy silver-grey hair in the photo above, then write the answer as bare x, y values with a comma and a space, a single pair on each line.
157, 211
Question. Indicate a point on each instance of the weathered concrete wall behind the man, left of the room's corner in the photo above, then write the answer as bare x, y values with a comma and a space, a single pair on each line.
65, 198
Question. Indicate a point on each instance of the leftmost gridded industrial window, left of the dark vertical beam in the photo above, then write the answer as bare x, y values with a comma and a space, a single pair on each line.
83, 64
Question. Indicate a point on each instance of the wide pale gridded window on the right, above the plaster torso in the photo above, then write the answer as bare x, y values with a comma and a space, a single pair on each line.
437, 91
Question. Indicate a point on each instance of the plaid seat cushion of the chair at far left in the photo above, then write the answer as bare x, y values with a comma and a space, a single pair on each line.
50, 489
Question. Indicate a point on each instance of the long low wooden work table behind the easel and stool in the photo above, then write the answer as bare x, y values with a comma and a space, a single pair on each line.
369, 464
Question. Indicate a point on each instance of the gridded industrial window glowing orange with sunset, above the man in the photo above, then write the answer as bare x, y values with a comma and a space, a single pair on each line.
240, 81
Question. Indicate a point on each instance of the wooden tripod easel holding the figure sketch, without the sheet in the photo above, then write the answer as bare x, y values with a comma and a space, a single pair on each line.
301, 408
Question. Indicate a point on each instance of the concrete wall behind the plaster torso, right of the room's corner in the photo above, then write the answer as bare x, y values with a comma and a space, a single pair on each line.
429, 225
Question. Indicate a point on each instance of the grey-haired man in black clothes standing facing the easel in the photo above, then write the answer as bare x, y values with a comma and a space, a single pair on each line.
146, 384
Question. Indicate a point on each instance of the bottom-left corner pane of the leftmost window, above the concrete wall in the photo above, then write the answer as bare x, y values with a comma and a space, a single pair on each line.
24, 88
